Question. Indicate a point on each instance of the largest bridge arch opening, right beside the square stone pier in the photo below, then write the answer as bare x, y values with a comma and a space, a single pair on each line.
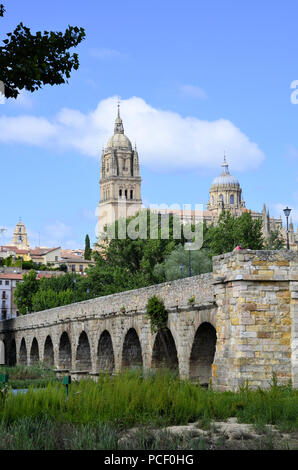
202, 354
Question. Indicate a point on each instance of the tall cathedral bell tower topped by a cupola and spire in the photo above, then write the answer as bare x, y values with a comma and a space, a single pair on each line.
120, 181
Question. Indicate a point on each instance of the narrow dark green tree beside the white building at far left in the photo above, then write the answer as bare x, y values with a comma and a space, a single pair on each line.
25, 291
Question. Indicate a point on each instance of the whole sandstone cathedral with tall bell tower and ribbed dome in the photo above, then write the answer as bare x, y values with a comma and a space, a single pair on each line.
120, 191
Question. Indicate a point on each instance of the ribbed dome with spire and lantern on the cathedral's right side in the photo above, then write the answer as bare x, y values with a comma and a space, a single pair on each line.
225, 193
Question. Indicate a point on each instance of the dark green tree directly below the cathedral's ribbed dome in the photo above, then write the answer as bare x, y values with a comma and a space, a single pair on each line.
232, 231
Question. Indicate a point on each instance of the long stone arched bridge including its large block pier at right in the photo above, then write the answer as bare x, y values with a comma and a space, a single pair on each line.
237, 324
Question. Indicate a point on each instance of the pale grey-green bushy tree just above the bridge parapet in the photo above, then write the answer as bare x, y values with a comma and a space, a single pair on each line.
176, 264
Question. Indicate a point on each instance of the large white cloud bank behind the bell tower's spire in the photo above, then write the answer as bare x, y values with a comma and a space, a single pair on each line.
165, 139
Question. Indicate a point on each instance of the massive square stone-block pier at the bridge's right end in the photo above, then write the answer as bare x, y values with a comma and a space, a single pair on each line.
257, 318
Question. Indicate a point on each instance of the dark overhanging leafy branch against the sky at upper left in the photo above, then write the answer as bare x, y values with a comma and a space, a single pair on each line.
30, 61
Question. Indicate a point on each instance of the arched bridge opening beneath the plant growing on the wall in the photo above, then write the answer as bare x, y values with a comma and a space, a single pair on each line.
164, 352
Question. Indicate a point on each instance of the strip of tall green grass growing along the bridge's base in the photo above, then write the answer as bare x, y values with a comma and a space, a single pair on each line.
158, 399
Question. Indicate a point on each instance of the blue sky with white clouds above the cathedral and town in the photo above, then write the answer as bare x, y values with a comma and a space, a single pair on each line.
196, 79
